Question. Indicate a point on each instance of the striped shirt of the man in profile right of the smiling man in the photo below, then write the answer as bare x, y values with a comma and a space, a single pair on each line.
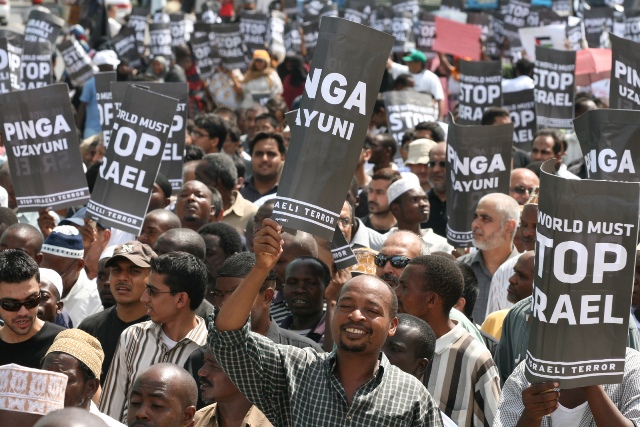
464, 379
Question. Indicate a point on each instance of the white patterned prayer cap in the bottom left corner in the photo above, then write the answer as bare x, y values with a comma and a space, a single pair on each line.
31, 391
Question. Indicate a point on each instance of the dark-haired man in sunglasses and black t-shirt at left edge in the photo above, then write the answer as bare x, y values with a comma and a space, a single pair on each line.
24, 339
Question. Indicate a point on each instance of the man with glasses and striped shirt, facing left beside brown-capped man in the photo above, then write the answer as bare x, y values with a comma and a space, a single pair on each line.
175, 288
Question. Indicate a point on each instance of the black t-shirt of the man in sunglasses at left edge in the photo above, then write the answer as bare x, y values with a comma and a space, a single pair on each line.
29, 353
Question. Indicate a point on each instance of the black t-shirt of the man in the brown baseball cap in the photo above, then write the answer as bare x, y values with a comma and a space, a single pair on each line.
106, 326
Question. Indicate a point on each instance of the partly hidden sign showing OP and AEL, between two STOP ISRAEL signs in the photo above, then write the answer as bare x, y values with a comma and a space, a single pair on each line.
522, 111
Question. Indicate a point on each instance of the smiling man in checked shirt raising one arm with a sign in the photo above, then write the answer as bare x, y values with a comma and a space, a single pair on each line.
355, 382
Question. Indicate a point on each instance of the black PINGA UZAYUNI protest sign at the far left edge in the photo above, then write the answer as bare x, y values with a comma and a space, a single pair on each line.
39, 134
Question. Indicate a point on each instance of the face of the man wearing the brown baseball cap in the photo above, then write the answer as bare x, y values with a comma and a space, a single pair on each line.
127, 281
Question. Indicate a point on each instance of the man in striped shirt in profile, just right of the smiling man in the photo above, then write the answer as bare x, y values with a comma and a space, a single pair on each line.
462, 376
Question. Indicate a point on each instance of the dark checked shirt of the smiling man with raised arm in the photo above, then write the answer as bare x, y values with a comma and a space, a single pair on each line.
298, 387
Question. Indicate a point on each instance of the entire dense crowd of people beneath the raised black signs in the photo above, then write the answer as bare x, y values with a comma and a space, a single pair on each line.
214, 316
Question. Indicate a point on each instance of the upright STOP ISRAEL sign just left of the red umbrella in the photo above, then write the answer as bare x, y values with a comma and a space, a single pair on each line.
554, 77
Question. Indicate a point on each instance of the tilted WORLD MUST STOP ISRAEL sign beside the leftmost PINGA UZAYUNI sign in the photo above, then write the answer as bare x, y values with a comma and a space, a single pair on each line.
123, 188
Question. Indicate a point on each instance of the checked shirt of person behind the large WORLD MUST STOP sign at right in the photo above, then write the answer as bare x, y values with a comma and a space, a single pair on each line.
625, 396
